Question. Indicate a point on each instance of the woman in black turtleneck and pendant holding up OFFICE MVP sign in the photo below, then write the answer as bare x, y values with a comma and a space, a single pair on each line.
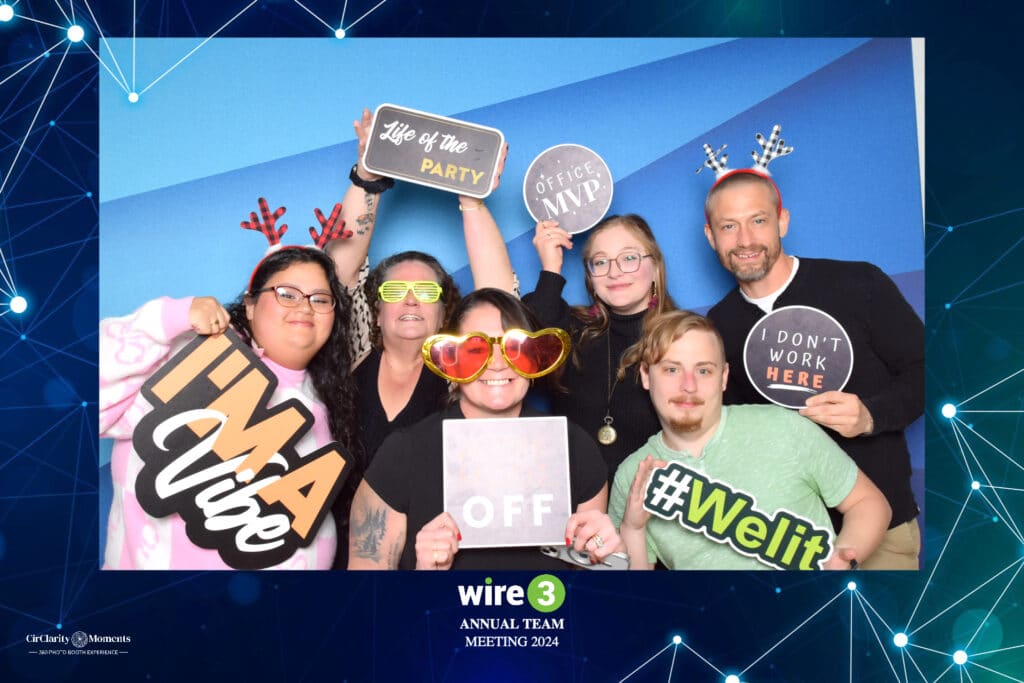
625, 277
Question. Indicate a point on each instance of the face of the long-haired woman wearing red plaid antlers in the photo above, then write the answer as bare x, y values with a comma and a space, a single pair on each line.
291, 337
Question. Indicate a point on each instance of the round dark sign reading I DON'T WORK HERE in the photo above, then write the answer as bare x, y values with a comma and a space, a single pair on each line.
795, 353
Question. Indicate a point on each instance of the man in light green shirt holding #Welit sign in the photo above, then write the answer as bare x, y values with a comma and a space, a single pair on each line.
739, 487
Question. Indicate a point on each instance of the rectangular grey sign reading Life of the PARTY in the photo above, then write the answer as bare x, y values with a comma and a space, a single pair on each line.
434, 151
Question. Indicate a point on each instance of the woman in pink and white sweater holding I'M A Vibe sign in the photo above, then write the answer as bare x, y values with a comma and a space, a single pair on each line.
295, 314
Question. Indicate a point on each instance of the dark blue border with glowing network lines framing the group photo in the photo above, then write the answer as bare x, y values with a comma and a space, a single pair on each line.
340, 627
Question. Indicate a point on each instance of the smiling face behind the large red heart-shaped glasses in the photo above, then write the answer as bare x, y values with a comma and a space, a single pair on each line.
499, 392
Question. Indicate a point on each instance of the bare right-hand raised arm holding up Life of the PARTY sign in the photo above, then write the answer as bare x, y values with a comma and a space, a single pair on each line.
489, 258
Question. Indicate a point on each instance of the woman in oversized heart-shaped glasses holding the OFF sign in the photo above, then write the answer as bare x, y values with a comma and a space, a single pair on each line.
495, 350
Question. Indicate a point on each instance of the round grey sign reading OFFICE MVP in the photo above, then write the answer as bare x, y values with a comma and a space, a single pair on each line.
570, 184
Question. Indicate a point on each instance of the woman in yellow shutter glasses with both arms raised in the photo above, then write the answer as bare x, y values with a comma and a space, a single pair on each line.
406, 298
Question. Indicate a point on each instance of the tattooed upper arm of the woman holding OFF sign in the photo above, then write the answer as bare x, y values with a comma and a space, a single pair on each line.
377, 533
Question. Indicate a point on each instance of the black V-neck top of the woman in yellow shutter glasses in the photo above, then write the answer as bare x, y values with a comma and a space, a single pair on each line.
428, 399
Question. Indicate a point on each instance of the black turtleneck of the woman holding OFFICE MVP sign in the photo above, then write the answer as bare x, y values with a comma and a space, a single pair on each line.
586, 403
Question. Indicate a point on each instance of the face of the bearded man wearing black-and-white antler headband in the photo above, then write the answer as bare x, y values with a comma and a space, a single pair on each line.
746, 229
